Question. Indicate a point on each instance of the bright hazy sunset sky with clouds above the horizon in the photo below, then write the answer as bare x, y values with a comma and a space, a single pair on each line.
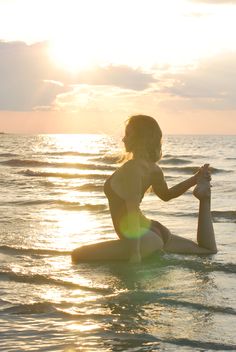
75, 66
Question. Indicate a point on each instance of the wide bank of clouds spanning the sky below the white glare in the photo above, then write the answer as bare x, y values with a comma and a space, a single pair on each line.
30, 81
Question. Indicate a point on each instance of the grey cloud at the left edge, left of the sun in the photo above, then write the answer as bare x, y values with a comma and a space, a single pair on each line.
24, 70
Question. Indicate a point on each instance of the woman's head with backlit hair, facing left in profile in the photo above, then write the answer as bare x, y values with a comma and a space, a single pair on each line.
143, 137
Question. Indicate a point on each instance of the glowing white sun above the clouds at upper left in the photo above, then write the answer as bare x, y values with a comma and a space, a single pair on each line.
72, 54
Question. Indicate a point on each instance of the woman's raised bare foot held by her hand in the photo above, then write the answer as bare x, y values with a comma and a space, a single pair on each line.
203, 187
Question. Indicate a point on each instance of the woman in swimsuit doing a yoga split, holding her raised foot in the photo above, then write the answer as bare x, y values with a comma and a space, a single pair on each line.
138, 236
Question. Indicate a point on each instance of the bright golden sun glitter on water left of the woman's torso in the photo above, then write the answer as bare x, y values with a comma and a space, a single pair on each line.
68, 213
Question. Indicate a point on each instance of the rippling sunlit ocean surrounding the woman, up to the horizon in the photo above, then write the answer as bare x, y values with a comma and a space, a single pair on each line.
52, 201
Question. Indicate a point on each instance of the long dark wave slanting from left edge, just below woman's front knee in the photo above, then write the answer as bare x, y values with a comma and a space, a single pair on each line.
39, 279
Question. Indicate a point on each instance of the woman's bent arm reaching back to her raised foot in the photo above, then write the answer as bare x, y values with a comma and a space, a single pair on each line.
161, 189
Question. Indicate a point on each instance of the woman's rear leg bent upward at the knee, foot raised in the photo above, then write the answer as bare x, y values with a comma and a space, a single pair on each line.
206, 243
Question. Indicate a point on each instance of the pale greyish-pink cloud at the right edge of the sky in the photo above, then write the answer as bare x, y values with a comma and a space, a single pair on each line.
211, 85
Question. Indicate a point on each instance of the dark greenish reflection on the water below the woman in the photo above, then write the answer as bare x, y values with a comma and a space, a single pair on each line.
155, 302
